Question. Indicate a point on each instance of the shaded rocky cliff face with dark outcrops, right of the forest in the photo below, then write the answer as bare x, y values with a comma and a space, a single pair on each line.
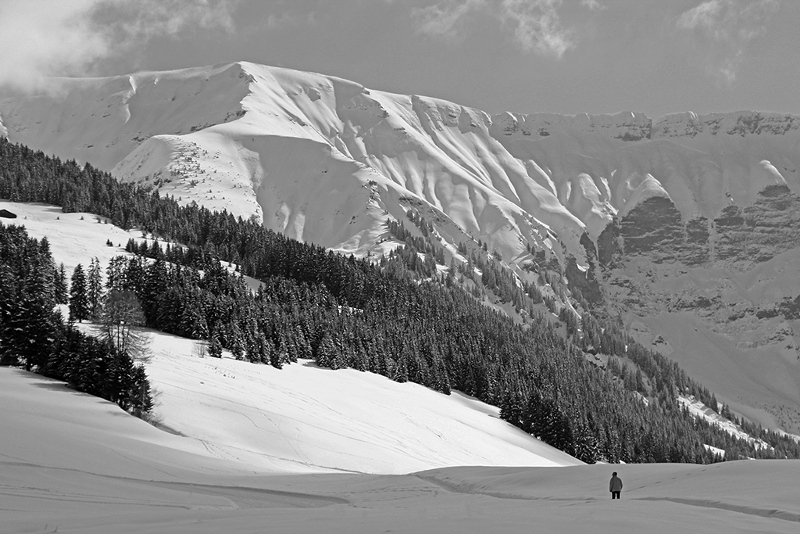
736, 276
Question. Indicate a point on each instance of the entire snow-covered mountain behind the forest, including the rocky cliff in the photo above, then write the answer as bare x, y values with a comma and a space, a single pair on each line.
687, 227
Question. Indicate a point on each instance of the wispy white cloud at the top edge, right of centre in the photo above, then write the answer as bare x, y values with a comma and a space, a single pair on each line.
535, 25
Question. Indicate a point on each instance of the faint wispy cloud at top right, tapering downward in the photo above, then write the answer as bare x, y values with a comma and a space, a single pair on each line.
725, 29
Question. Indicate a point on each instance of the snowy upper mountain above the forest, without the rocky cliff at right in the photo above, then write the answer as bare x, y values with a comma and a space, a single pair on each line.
273, 143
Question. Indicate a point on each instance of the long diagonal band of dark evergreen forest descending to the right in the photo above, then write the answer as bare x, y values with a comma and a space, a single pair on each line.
395, 316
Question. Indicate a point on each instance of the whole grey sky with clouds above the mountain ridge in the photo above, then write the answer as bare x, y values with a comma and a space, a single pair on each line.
560, 56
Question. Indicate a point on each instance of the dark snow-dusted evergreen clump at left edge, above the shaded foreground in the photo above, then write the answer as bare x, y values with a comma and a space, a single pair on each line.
34, 335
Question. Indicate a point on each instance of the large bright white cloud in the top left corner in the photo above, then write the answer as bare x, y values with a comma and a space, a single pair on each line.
70, 37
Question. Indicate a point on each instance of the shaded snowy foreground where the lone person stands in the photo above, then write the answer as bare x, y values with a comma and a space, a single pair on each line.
76, 463
